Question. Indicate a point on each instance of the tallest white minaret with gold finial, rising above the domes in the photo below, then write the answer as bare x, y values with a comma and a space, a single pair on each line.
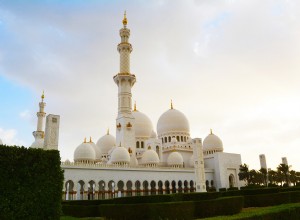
125, 135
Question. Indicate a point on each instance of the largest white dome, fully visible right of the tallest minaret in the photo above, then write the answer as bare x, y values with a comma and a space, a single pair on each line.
172, 121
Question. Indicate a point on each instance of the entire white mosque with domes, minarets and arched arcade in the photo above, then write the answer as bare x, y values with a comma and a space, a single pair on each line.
138, 160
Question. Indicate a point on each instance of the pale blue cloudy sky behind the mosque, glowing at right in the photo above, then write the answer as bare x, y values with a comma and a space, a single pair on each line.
229, 65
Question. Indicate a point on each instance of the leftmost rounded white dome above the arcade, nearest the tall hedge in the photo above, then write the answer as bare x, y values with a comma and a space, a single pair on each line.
84, 152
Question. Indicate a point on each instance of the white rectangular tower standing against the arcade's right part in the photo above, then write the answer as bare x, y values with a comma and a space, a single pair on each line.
199, 165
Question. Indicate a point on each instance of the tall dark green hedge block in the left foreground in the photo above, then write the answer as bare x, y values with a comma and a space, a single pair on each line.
31, 183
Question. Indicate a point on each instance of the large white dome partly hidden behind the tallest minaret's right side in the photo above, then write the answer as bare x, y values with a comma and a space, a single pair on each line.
143, 125
